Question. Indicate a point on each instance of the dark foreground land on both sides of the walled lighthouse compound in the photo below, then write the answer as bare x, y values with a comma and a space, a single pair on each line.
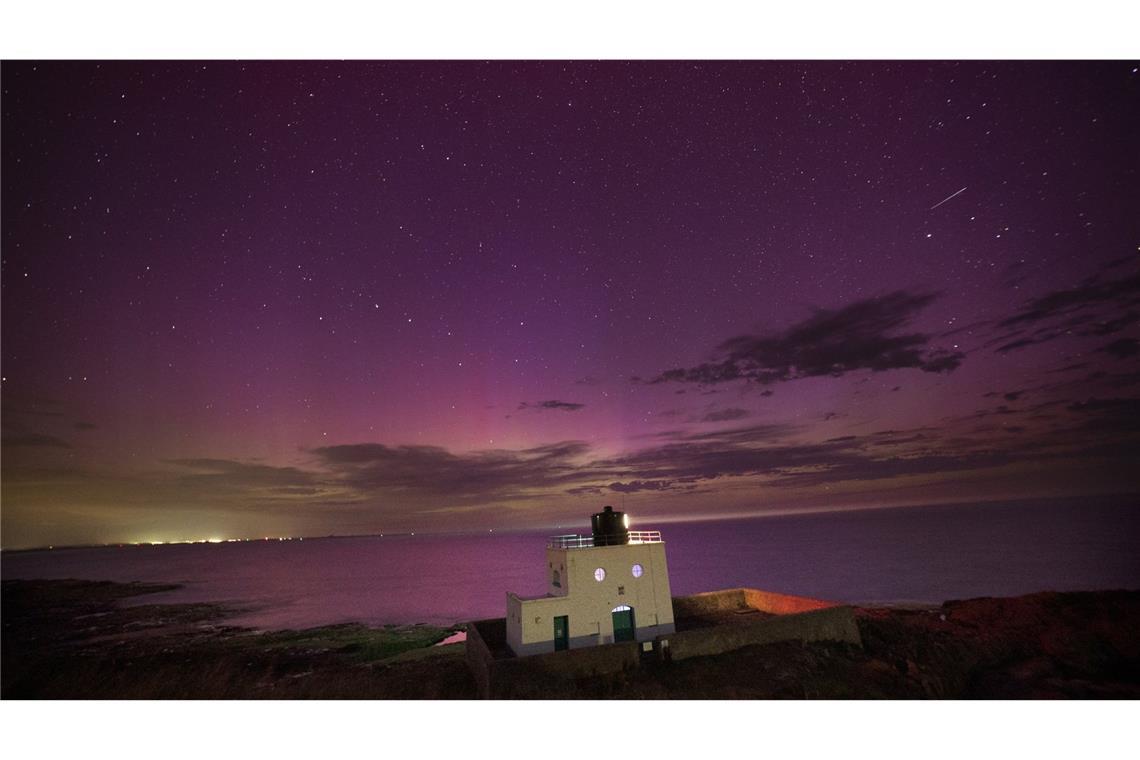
72, 640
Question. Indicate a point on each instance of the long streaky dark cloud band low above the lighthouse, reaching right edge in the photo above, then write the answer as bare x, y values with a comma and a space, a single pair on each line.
683, 461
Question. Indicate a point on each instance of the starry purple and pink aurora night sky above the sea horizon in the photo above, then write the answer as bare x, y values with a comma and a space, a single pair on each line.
302, 299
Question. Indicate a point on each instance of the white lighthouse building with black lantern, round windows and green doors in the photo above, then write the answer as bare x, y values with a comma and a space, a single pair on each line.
613, 586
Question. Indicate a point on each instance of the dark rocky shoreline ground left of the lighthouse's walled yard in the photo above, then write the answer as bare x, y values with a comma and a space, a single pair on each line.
72, 640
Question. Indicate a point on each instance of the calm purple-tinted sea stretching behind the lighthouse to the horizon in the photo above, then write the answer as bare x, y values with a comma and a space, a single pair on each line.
921, 554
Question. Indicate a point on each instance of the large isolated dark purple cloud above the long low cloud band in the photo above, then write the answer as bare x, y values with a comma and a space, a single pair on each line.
864, 336
